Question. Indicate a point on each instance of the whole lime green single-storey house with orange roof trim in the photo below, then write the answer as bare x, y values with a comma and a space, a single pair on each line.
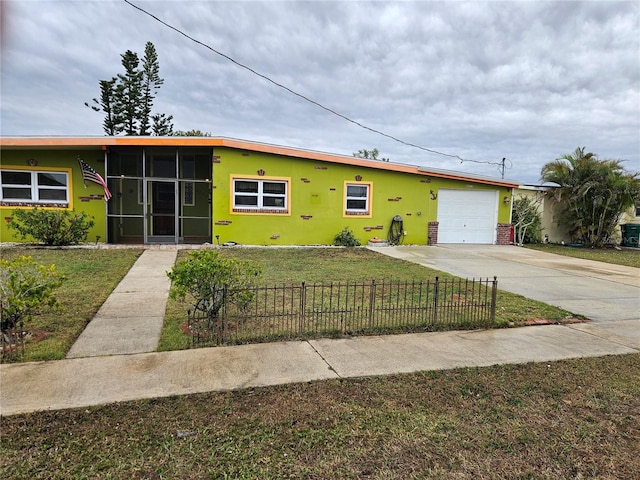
202, 189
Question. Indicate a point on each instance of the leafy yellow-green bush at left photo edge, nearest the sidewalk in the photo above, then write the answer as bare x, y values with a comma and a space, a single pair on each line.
26, 289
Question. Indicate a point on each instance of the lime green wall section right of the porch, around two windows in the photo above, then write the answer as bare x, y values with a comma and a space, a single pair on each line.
316, 201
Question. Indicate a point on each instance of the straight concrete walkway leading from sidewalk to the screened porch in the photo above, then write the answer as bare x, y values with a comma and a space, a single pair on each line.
130, 320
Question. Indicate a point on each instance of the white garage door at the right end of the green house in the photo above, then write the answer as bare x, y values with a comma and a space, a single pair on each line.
467, 216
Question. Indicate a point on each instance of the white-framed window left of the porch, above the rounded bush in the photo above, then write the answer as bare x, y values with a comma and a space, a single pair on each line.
31, 186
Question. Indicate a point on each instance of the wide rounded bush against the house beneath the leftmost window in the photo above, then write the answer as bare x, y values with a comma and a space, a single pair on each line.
51, 227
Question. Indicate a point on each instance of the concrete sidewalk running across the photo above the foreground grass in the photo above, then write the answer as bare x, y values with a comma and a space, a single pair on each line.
83, 382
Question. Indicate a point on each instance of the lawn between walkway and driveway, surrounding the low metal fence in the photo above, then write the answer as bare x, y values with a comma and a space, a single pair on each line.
294, 265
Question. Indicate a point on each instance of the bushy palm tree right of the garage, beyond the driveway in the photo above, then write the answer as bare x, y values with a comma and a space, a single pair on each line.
591, 195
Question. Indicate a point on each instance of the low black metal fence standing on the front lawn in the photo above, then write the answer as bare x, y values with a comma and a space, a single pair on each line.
337, 309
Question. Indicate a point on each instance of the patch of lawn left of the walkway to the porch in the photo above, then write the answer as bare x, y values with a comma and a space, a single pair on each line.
91, 274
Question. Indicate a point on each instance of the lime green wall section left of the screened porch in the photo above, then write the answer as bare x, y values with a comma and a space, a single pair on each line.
79, 195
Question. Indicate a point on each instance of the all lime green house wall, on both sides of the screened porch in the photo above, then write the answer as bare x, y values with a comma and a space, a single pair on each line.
316, 200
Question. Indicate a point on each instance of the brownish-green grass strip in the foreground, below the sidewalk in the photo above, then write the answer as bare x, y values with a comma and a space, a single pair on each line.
570, 419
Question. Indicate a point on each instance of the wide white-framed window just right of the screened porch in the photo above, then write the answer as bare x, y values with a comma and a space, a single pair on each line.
257, 194
